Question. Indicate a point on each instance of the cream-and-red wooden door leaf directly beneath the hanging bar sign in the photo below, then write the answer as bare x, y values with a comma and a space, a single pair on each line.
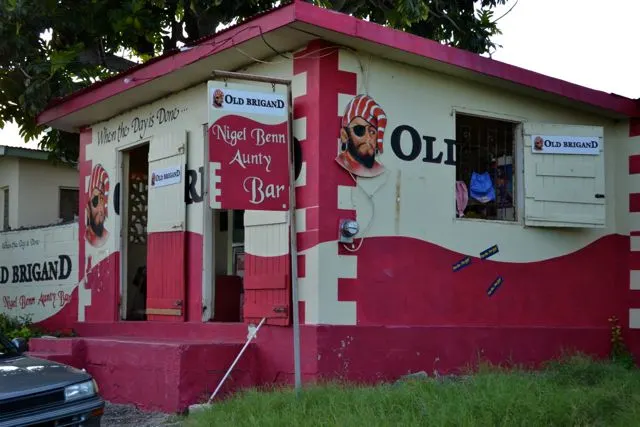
267, 274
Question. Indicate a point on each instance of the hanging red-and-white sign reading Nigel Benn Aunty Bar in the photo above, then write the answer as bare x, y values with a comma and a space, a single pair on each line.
248, 146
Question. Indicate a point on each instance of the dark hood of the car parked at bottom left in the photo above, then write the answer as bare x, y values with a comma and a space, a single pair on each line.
24, 375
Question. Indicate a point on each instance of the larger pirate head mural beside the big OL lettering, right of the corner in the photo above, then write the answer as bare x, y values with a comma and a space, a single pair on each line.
361, 136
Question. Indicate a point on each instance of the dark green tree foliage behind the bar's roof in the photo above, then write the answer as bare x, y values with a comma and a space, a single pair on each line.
88, 38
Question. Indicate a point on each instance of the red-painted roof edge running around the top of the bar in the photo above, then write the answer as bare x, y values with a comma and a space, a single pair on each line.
324, 21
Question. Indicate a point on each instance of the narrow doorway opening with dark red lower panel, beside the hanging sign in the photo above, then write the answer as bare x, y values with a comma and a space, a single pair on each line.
228, 265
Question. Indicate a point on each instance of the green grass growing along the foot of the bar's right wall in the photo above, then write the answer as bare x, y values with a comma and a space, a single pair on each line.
575, 391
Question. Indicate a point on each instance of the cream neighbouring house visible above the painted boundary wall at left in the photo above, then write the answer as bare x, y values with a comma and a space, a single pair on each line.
34, 191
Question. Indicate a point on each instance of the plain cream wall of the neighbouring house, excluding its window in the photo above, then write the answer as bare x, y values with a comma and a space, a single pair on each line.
34, 190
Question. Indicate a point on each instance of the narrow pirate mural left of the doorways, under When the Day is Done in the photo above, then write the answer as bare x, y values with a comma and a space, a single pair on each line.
96, 209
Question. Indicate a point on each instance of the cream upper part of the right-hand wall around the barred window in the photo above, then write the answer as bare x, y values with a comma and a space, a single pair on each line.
425, 101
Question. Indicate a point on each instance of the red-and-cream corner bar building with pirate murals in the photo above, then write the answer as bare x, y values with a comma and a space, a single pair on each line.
495, 211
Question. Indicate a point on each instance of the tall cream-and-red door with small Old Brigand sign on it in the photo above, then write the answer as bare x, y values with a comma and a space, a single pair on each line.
166, 228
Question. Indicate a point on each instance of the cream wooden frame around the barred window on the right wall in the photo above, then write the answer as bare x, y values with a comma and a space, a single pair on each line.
518, 153
